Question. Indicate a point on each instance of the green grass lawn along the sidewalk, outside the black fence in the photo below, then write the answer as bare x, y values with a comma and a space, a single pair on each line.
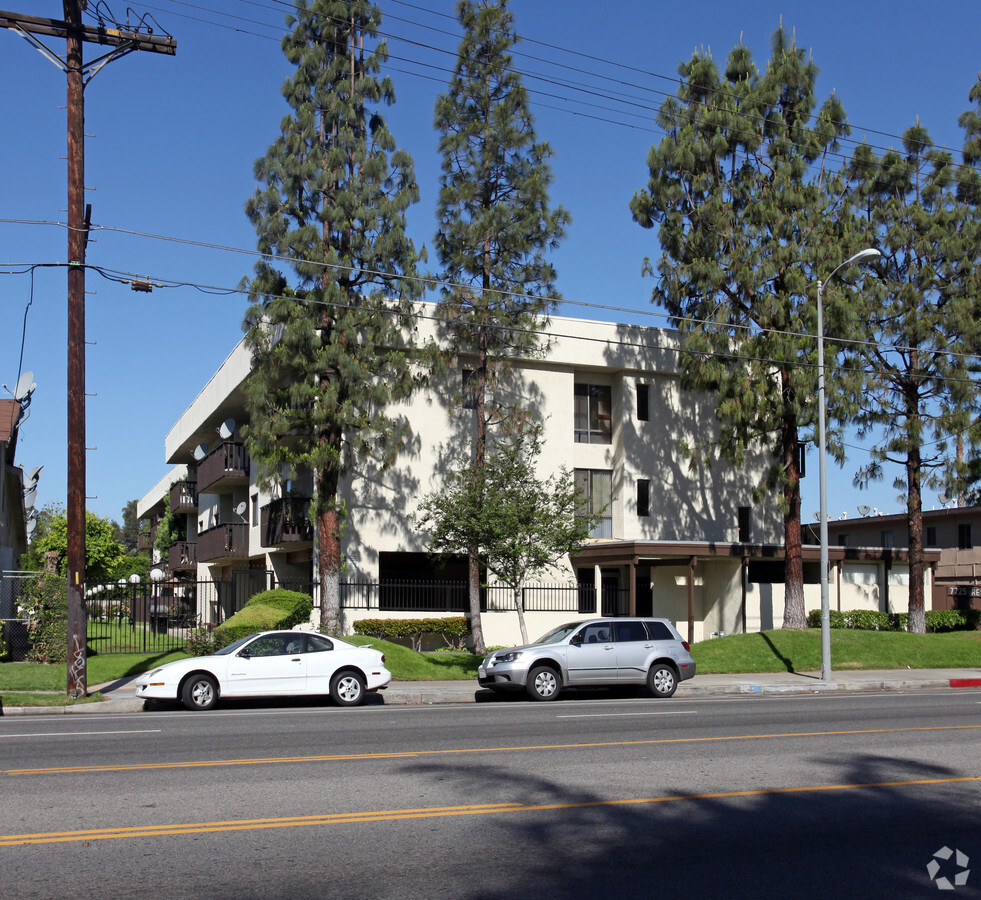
769, 651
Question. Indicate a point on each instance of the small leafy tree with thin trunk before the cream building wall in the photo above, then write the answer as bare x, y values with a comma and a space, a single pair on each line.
521, 524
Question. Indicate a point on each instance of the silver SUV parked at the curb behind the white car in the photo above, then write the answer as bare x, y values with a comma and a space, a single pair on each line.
593, 653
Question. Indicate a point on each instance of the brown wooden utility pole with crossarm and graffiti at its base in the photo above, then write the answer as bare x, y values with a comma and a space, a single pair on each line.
120, 41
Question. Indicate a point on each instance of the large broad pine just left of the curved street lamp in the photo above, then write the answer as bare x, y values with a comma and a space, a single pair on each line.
744, 200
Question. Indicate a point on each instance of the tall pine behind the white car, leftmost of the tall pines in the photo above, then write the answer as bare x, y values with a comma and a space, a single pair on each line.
329, 334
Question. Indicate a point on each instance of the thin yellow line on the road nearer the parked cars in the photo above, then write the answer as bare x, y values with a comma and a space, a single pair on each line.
410, 754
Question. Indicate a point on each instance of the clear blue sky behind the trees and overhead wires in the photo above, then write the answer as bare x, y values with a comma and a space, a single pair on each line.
172, 142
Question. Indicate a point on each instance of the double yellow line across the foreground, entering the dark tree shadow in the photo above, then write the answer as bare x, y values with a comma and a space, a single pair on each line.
145, 831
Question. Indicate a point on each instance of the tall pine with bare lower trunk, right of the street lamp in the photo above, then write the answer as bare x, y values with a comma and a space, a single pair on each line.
911, 379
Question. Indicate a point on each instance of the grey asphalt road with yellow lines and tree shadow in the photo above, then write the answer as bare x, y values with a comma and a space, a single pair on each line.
777, 796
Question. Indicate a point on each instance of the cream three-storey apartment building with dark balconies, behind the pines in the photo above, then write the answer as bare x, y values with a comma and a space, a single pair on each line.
678, 540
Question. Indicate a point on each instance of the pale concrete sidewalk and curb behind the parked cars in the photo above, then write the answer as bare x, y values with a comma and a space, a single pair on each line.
120, 696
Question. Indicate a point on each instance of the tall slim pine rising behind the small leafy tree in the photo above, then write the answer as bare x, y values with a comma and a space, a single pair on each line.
495, 222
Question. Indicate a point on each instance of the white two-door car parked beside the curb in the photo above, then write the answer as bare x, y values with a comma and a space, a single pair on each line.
270, 664
